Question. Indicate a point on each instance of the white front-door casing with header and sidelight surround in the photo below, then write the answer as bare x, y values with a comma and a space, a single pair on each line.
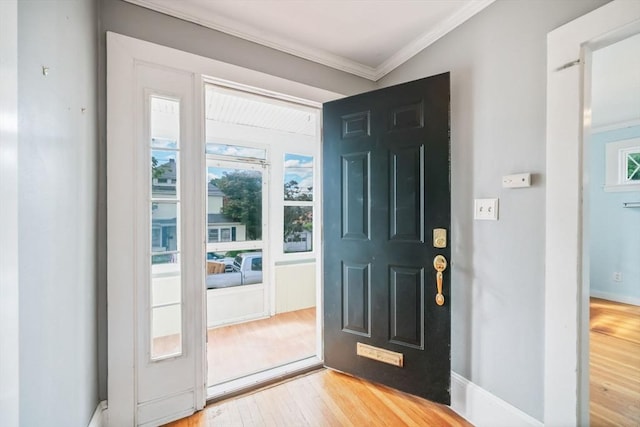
127, 151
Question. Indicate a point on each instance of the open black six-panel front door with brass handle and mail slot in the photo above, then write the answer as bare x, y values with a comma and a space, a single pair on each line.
386, 192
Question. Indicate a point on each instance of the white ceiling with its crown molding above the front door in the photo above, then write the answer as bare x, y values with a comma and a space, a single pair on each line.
368, 38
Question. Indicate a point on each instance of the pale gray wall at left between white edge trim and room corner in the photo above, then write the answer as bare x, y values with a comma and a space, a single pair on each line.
57, 211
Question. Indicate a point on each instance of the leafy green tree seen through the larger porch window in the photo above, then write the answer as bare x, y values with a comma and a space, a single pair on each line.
242, 199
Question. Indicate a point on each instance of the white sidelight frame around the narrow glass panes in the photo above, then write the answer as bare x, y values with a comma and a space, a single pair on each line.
144, 391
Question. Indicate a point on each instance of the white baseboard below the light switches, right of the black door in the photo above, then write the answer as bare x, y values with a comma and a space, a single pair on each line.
482, 408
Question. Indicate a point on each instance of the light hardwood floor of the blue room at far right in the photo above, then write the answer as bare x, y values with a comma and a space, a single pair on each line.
614, 364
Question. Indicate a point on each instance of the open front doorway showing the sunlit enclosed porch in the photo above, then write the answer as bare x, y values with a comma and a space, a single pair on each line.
262, 250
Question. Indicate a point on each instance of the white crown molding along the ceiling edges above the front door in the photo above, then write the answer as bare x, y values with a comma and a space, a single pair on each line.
232, 27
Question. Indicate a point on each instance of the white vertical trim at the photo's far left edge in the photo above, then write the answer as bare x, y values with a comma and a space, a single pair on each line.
9, 290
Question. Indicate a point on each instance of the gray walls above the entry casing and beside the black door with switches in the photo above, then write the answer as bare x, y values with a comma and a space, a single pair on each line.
498, 68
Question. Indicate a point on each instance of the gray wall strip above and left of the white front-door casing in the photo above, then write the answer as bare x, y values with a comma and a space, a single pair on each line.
134, 21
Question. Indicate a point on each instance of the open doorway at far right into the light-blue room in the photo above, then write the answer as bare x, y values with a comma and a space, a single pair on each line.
611, 213
